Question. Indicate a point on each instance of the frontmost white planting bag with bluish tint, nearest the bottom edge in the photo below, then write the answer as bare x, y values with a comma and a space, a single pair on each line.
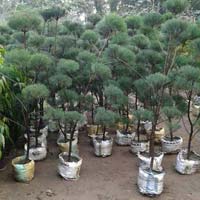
150, 182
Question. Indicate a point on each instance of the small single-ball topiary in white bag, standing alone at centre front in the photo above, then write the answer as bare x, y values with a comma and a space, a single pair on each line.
103, 144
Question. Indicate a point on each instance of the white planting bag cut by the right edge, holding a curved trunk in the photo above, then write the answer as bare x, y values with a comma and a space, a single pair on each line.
185, 166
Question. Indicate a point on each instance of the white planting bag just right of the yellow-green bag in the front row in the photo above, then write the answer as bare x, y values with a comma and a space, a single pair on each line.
69, 170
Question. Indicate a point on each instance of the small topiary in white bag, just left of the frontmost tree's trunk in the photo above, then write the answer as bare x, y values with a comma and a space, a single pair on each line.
140, 143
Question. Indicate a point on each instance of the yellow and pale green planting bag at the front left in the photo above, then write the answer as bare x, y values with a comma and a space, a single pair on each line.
23, 172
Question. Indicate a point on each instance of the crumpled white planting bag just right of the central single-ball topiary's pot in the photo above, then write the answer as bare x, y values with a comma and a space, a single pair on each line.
124, 139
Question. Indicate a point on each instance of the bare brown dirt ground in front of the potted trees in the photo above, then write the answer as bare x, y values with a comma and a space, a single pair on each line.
111, 178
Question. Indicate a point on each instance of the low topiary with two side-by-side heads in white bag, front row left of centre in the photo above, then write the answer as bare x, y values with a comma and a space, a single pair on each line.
69, 161
